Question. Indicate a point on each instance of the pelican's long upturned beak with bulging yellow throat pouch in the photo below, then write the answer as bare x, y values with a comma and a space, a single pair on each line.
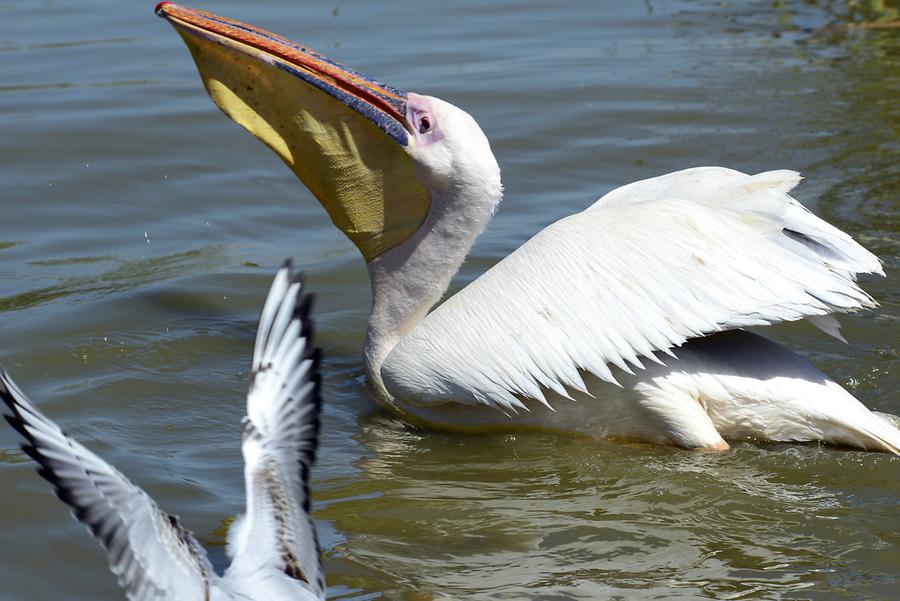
343, 134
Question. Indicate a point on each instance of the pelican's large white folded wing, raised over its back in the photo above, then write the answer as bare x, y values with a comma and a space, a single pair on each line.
647, 267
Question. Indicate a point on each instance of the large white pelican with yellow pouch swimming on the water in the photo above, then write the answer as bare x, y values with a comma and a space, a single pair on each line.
625, 320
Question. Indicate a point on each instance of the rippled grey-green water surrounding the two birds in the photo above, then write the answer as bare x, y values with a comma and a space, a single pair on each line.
140, 230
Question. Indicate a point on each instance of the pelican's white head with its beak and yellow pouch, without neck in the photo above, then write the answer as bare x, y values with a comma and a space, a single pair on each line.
376, 157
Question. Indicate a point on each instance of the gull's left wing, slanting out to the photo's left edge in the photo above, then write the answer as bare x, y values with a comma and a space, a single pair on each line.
152, 555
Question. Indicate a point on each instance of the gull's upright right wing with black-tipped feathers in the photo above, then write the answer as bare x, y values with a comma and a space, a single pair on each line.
280, 438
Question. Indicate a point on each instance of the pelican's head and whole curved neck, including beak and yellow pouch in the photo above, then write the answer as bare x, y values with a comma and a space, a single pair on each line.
410, 179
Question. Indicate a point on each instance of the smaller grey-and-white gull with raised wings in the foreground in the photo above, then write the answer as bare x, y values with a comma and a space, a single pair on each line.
273, 547
